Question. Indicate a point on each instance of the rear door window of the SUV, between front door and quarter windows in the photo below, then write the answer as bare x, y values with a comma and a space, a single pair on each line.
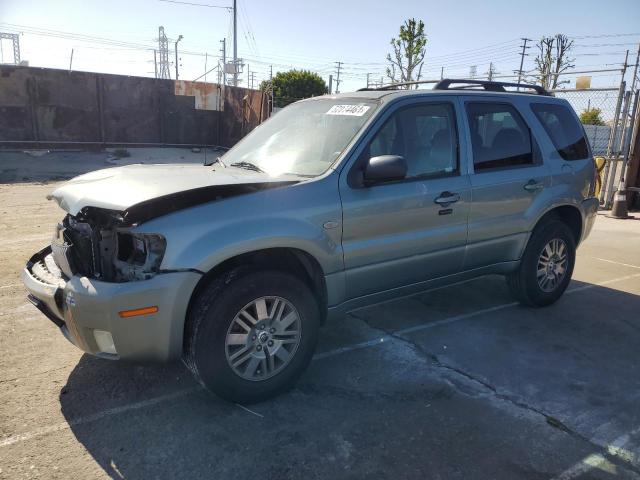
499, 136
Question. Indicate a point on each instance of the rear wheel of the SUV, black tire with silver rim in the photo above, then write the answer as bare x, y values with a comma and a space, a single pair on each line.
527, 284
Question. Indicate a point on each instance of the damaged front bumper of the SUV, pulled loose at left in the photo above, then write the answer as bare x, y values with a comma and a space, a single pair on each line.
80, 306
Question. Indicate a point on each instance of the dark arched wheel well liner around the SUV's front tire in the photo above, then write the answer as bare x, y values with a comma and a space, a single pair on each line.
291, 260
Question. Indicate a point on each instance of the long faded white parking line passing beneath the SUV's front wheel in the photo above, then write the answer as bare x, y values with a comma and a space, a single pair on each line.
371, 343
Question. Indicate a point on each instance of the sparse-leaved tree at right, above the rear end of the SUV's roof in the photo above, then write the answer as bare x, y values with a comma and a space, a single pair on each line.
553, 59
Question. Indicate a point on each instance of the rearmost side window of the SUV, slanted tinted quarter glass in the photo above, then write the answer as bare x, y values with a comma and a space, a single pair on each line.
564, 130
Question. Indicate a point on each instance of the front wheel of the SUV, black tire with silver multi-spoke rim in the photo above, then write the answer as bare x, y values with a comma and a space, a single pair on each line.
221, 334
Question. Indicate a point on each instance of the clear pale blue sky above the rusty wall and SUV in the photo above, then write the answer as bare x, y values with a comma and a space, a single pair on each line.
314, 35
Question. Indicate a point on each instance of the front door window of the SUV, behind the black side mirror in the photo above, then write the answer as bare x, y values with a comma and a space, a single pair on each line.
424, 135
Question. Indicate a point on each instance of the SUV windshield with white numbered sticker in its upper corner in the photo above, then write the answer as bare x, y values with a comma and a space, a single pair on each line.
304, 138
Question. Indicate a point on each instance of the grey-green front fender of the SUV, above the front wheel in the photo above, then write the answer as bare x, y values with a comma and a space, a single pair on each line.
292, 217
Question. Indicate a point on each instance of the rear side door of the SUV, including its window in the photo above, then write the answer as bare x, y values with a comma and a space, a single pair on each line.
507, 182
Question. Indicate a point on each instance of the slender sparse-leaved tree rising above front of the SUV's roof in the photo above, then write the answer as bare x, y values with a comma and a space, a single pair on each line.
408, 52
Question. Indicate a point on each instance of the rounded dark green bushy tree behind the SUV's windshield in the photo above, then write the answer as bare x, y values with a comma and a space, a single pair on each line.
294, 85
